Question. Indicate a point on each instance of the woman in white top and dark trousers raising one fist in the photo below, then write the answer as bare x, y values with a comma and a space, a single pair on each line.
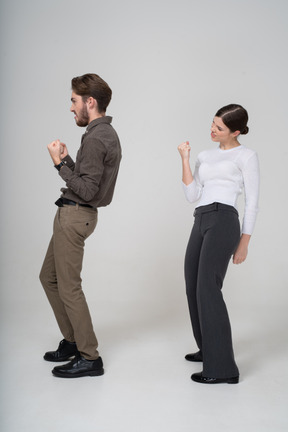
219, 177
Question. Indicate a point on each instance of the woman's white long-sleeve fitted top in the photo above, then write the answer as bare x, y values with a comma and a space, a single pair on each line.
222, 175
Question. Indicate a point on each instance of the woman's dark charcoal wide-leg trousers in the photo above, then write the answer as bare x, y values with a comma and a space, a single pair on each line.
214, 238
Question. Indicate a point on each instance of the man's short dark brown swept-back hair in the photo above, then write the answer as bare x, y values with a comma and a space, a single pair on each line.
91, 85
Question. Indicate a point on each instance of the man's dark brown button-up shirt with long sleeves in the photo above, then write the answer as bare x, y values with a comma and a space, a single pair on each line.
92, 178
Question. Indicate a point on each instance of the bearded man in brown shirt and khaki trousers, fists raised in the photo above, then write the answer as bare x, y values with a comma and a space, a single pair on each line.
90, 184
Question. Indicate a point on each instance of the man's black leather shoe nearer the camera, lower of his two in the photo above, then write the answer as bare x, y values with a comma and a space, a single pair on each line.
80, 367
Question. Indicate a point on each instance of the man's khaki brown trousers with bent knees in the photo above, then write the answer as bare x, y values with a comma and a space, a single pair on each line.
61, 280
